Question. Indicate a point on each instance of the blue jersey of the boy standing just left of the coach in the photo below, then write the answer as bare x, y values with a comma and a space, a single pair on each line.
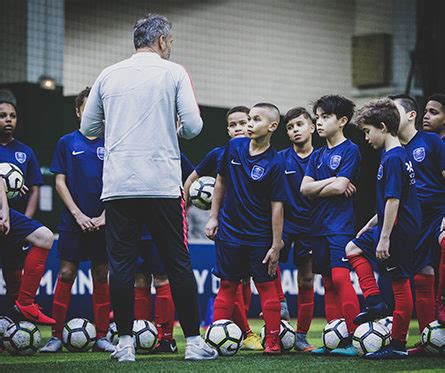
81, 161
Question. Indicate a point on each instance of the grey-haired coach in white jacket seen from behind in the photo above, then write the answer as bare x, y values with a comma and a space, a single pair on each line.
140, 105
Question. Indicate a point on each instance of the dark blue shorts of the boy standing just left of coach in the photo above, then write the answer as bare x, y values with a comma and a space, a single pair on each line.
79, 246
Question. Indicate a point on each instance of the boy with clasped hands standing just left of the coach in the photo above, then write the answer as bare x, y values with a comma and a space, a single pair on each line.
77, 164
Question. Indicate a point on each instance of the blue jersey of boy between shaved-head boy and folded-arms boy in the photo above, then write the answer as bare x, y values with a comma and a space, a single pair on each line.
298, 208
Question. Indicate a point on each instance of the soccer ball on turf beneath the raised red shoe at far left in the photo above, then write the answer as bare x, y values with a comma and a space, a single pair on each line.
22, 338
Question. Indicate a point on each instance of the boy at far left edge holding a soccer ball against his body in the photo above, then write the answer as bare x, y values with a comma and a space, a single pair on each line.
14, 151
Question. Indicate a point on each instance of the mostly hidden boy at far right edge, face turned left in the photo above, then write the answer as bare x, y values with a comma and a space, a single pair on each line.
434, 121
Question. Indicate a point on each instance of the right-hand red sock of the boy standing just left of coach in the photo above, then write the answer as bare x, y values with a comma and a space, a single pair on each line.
101, 307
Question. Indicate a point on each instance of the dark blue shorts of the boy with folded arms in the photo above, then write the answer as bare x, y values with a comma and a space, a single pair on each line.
329, 252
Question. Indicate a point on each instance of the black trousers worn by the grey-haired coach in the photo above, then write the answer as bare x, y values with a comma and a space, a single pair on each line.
165, 219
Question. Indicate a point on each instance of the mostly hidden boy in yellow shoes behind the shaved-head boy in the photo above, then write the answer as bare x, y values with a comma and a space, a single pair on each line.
237, 118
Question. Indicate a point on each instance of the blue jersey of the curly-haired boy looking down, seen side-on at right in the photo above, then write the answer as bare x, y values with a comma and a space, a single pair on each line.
396, 179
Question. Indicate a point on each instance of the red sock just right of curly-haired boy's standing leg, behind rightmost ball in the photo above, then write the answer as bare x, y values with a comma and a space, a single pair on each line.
424, 288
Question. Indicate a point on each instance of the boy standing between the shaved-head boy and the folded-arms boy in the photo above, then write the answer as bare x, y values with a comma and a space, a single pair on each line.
299, 128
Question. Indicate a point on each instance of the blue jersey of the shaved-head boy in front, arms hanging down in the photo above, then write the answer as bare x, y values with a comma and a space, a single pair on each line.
252, 184
